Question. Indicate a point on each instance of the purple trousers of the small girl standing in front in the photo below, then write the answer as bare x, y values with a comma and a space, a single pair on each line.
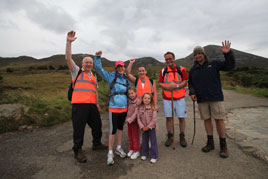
147, 136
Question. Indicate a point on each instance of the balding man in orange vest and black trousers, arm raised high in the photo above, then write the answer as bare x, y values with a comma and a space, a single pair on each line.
85, 108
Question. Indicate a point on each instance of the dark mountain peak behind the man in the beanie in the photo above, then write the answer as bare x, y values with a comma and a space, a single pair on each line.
243, 59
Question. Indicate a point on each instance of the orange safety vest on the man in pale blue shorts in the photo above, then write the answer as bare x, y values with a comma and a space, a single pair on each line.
173, 76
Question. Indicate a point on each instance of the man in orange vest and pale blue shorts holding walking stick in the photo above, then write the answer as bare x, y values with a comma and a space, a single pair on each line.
172, 80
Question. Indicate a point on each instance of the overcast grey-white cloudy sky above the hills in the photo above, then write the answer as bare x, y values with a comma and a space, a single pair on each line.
125, 29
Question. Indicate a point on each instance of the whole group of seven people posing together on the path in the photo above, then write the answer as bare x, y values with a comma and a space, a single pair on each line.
137, 106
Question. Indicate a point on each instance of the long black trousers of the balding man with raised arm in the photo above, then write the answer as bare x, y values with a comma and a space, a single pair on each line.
82, 114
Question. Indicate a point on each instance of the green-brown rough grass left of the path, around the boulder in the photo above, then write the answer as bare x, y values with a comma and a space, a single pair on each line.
46, 96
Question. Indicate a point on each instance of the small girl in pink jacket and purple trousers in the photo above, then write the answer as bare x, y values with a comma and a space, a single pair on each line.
147, 122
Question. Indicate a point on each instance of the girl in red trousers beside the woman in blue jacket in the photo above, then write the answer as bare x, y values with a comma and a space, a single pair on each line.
133, 128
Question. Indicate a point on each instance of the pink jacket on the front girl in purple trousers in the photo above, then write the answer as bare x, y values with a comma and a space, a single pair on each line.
146, 117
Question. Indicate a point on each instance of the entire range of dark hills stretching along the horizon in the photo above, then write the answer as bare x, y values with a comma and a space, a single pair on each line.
243, 59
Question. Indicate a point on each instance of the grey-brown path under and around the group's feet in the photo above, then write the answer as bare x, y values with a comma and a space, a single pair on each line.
46, 153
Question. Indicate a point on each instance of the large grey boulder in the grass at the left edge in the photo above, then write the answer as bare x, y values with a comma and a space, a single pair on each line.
13, 112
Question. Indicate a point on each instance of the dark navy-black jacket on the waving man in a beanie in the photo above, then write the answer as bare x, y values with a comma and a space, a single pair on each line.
204, 81
